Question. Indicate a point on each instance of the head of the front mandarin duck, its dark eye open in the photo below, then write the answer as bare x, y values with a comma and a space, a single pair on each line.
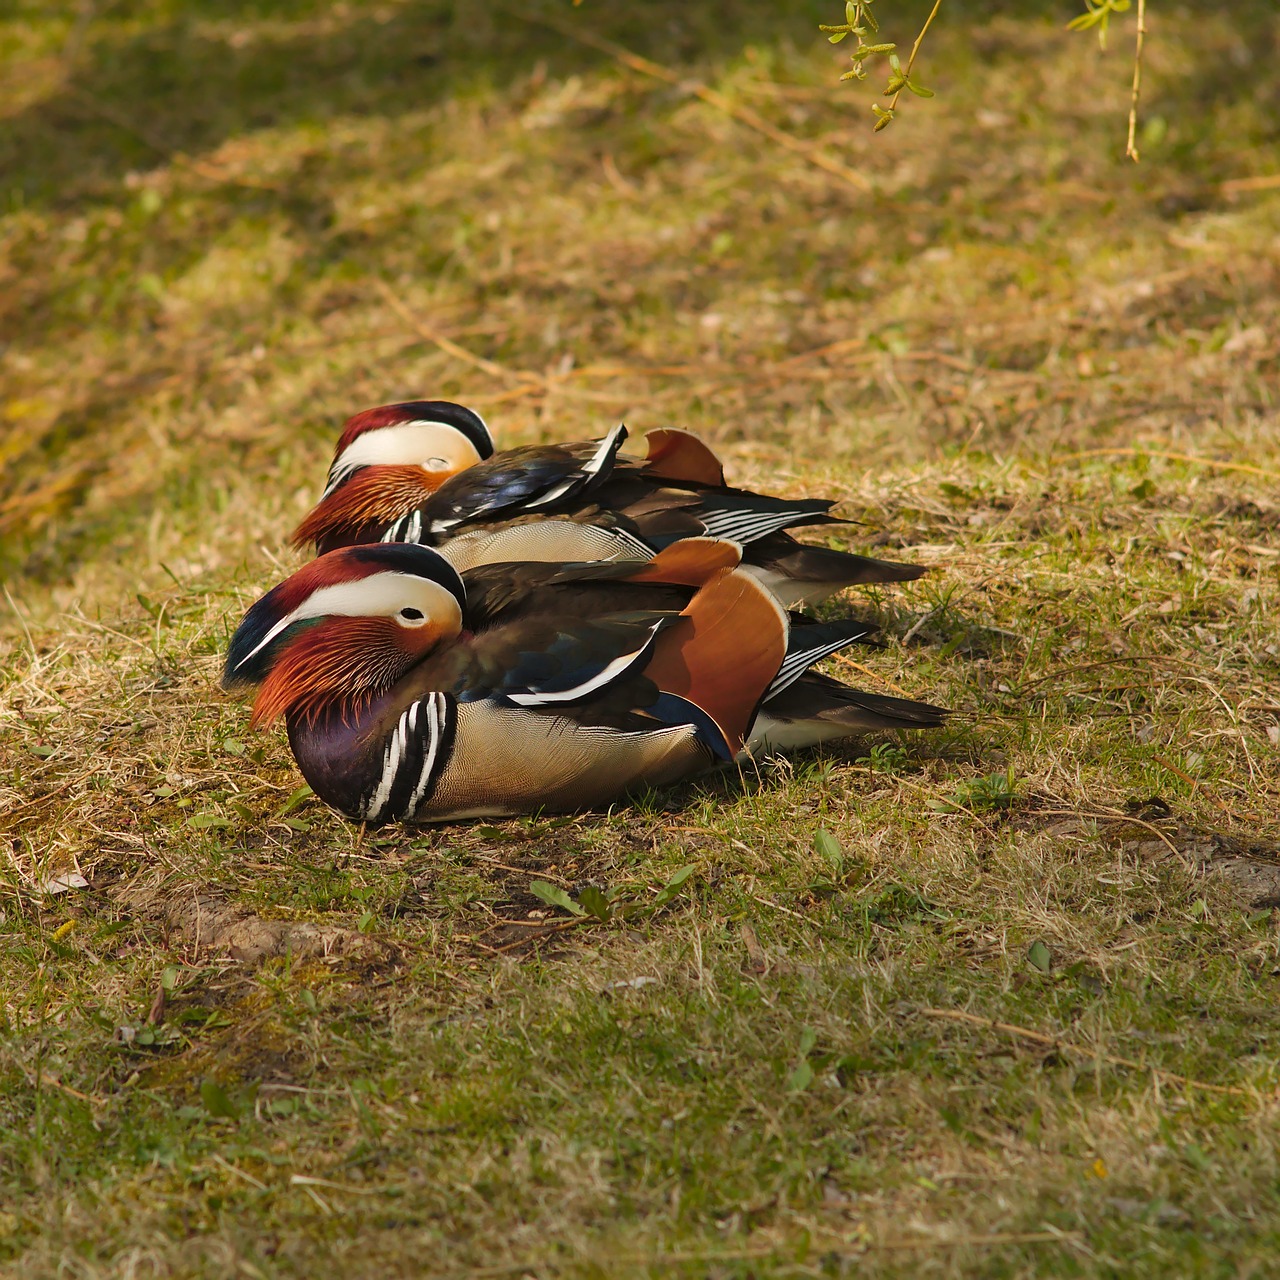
344, 630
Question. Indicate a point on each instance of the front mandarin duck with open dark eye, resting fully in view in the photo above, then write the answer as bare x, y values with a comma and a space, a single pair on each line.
414, 693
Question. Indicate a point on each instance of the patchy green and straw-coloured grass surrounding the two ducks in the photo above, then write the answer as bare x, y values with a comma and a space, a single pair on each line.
260, 1043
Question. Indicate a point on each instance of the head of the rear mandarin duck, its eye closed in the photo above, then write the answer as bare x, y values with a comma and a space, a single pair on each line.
387, 463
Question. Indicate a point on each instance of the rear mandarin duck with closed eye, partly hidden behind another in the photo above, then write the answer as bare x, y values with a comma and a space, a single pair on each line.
427, 473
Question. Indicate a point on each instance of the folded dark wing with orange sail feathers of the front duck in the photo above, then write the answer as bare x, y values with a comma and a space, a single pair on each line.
687, 638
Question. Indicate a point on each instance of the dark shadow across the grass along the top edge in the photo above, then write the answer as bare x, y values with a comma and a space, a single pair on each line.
191, 84
